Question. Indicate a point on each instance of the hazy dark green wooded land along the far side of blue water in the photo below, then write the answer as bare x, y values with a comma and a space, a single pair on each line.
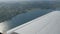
9, 10
